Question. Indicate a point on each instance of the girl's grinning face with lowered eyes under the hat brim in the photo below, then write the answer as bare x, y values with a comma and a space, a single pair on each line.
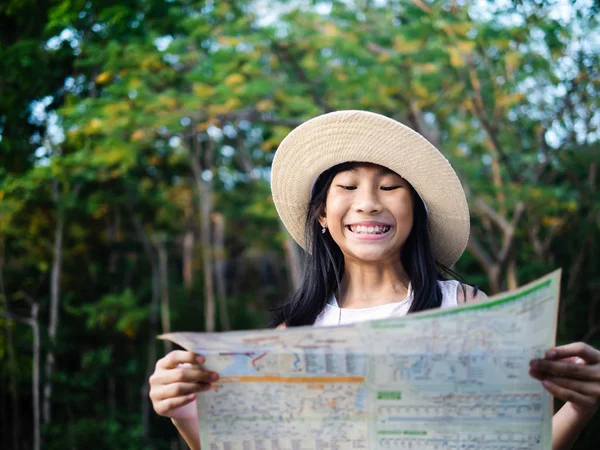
369, 213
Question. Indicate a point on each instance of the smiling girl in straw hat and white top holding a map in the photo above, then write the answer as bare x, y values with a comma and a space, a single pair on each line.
382, 215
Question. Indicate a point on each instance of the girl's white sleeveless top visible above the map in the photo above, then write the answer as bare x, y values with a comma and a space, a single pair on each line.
332, 314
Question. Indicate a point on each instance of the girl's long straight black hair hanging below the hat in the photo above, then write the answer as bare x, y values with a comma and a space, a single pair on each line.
324, 261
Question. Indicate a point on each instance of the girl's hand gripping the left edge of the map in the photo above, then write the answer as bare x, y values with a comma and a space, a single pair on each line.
174, 384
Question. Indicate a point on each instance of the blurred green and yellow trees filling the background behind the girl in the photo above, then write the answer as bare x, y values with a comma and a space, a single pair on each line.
135, 154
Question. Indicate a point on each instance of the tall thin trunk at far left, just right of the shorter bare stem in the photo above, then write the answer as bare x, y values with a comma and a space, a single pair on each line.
54, 301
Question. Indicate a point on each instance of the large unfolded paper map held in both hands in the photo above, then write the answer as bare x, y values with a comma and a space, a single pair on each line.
441, 379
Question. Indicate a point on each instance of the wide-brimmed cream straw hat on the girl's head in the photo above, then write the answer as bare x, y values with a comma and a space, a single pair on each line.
362, 136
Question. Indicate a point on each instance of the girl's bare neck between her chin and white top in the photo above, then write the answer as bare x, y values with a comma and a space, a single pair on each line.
366, 286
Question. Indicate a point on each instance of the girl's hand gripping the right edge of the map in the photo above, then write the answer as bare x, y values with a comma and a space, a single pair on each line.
572, 373
